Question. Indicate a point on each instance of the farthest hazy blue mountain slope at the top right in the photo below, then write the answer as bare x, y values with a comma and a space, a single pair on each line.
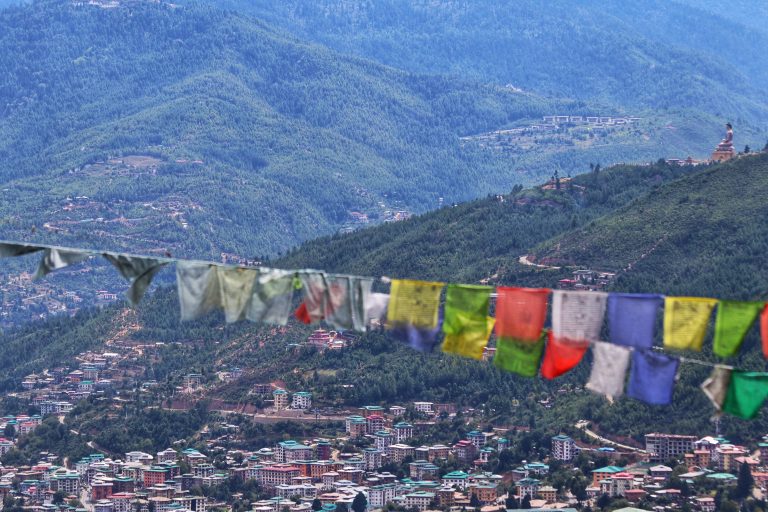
653, 53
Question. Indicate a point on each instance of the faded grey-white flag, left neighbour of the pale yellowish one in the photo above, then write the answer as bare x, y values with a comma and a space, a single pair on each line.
198, 286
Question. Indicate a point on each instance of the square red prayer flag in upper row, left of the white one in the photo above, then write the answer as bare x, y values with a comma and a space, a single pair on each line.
520, 313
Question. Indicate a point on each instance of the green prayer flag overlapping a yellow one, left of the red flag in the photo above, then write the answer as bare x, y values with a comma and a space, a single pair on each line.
467, 325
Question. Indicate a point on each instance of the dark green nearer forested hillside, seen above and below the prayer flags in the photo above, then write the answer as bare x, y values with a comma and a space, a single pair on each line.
467, 243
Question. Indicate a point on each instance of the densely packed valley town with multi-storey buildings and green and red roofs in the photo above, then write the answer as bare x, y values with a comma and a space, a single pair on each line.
371, 463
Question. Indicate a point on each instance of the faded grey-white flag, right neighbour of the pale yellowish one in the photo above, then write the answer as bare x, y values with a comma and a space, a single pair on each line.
270, 300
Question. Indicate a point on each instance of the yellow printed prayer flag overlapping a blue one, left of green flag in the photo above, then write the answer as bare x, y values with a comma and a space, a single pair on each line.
414, 303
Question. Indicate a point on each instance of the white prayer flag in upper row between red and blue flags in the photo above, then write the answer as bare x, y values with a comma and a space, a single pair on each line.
577, 317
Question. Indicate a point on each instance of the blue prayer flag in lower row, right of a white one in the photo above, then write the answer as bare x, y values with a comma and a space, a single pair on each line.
652, 377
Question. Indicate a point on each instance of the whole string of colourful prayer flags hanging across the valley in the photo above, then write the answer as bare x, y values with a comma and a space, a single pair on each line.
414, 313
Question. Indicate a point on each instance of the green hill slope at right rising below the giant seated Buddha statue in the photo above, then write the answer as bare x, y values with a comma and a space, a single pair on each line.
704, 233
